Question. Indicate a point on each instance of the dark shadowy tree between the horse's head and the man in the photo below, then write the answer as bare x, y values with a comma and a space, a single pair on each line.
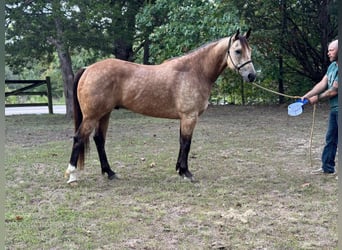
295, 33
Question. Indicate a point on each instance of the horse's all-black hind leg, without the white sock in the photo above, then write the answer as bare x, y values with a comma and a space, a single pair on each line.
100, 139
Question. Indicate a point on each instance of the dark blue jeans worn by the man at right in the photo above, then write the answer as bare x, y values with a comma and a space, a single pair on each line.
331, 141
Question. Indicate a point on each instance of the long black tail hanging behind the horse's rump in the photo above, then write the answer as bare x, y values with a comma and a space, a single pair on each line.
78, 117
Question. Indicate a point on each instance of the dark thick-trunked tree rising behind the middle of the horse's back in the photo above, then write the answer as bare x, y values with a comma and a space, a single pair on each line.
114, 22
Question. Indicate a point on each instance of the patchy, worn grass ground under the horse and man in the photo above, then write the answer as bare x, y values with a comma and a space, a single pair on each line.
254, 190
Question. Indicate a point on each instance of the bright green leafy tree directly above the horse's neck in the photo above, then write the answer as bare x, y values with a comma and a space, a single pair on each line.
176, 27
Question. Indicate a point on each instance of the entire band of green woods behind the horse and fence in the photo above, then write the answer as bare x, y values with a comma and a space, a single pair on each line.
56, 38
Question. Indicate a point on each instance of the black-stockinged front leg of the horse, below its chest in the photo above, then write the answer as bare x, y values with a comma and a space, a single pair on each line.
186, 130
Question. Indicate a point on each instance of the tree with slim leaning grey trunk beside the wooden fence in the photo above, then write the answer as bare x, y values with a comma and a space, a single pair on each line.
43, 27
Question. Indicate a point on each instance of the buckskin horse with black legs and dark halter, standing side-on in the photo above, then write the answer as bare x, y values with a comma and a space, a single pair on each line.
178, 88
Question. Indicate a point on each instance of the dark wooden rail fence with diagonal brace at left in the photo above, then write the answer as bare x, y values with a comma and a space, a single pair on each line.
27, 91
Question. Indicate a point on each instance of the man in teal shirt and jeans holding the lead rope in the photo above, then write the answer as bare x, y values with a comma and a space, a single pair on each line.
327, 88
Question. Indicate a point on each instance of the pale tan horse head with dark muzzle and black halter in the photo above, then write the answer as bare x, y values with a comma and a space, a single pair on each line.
239, 56
